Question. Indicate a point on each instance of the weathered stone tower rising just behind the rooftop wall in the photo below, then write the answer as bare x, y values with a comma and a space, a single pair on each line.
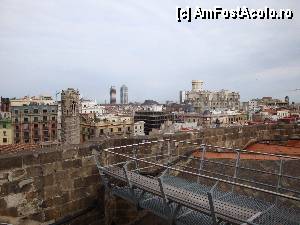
70, 118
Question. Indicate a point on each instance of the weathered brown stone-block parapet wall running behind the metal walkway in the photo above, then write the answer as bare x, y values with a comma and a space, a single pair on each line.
48, 185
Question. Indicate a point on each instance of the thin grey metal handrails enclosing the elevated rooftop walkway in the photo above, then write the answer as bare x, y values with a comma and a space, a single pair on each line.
232, 179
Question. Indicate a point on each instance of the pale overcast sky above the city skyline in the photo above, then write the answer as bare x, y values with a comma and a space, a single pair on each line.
49, 45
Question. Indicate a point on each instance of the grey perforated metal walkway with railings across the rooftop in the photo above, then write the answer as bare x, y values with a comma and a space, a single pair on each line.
183, 201
